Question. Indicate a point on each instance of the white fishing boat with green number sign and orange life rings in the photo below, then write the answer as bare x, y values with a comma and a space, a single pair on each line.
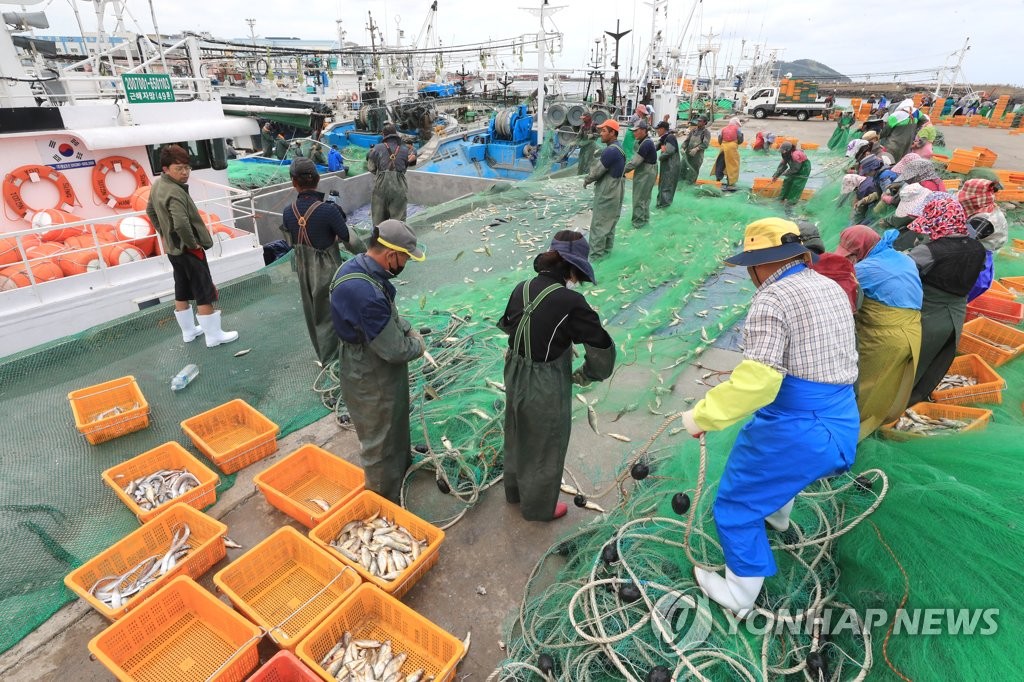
80, 147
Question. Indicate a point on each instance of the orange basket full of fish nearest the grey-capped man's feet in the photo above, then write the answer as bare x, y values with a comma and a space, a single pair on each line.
364, 506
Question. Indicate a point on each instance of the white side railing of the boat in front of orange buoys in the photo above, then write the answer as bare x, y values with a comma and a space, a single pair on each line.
237, 205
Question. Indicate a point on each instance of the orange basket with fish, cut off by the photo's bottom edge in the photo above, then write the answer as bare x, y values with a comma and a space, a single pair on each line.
370, 614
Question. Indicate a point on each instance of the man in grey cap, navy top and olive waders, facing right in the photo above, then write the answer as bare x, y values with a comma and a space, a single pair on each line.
376, 348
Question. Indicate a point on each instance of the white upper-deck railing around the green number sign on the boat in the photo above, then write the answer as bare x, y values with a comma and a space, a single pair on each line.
100, 75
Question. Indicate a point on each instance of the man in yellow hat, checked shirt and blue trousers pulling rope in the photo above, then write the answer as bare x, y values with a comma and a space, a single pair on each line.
797, 376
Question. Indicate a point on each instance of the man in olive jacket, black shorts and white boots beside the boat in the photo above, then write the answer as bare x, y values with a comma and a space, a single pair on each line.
186, 239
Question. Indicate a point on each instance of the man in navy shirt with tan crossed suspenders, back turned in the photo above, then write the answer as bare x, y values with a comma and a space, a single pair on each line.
315, 228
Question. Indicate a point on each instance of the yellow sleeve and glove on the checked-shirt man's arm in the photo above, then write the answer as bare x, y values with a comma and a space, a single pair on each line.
751, 388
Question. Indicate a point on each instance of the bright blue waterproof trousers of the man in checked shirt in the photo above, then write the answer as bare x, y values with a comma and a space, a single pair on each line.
808, 433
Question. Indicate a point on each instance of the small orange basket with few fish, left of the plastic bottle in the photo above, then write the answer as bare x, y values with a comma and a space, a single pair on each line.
90, 406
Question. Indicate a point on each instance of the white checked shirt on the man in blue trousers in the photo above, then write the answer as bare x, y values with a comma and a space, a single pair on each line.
800, 325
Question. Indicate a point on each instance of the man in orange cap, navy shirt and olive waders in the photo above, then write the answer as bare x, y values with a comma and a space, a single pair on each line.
610, 189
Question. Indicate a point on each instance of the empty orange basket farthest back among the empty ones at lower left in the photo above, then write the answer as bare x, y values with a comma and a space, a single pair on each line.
233, 436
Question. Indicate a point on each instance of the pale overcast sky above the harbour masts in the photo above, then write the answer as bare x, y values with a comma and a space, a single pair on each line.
870, 37
